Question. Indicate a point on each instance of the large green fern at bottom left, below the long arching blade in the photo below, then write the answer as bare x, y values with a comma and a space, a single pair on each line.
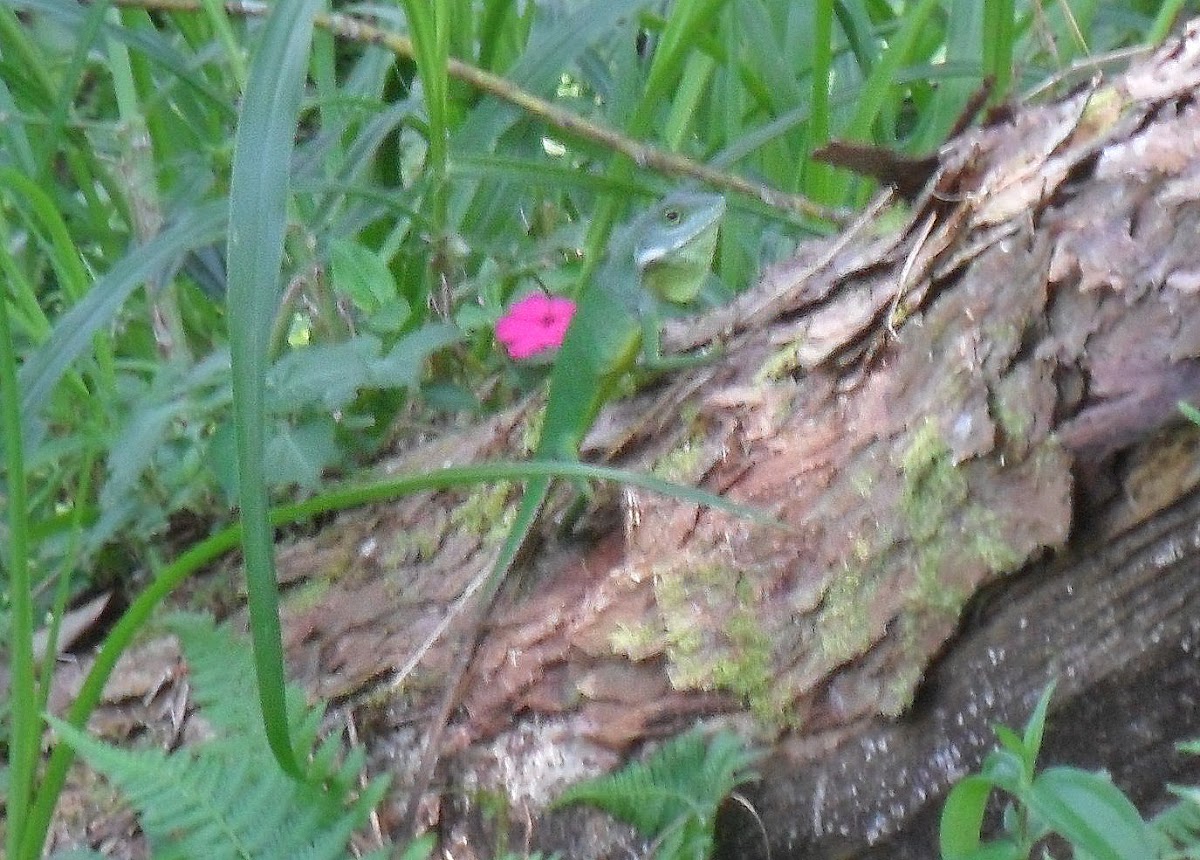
229, 798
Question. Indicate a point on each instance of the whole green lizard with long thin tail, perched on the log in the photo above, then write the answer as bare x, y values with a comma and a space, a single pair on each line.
664, 255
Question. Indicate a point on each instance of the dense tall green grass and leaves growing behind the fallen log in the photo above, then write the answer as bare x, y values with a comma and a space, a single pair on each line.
273, 240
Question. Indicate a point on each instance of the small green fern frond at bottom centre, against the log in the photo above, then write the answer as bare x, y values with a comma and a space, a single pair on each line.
674, 796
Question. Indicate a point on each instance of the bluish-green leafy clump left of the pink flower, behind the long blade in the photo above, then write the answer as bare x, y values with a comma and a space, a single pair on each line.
179, 438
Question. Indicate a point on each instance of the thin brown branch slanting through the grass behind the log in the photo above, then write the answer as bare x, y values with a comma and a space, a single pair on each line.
645, 155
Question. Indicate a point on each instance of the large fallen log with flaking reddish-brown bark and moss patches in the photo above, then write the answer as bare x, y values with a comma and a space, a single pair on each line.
969, 428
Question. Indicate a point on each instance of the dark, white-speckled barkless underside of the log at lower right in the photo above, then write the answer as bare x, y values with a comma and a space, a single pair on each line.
1117, 623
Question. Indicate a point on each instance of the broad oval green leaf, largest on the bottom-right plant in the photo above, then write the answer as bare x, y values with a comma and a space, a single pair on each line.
1091, 813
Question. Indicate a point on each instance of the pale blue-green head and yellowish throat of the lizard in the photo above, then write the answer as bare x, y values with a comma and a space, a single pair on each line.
675, 243
